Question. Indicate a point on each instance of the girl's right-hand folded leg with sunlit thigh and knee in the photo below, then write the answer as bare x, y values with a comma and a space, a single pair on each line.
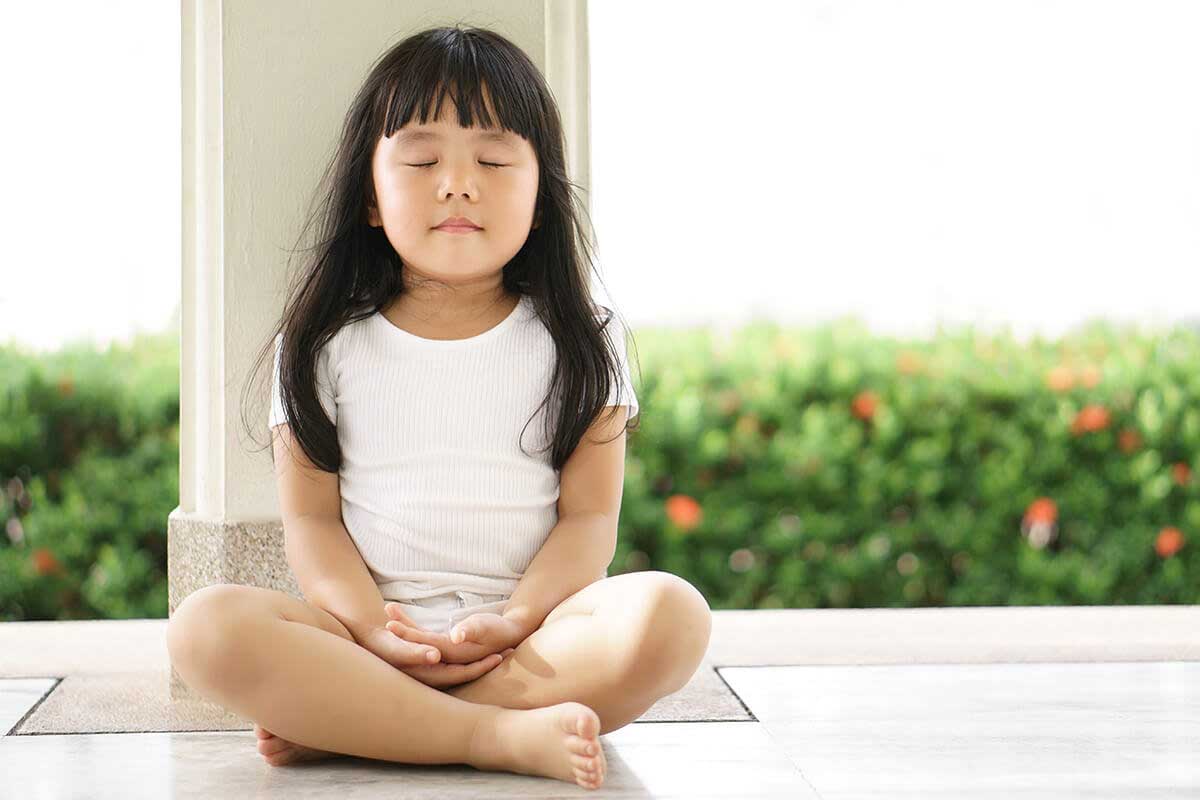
617, 646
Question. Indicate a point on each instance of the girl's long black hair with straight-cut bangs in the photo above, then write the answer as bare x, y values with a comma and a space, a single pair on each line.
353, 270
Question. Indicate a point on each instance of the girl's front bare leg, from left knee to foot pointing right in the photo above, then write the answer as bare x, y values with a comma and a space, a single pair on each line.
278, 660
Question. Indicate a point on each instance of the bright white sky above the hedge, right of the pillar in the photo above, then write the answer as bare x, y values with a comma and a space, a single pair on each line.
1016, 161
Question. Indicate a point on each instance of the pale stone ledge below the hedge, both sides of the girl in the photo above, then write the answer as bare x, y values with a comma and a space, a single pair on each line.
741, 639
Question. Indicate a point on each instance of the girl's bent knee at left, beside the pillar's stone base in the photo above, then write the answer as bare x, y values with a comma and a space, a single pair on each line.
201, 635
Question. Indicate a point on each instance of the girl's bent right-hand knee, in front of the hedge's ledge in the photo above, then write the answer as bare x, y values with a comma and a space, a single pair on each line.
681, 624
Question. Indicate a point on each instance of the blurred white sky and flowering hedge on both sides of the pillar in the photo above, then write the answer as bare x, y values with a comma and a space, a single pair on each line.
914, 291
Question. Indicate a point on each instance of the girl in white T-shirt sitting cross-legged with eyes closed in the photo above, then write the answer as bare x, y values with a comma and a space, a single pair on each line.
458, 607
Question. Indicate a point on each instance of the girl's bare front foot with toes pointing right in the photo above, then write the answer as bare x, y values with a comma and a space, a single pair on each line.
561, 742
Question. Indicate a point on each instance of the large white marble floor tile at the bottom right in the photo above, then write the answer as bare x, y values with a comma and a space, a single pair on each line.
1114, 730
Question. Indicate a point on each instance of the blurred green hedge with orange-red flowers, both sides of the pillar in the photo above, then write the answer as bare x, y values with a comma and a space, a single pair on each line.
773, 468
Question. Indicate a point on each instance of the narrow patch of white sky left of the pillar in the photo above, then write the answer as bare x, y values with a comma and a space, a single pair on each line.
91, 153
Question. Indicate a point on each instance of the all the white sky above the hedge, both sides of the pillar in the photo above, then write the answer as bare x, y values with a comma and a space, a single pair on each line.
1009, 163
